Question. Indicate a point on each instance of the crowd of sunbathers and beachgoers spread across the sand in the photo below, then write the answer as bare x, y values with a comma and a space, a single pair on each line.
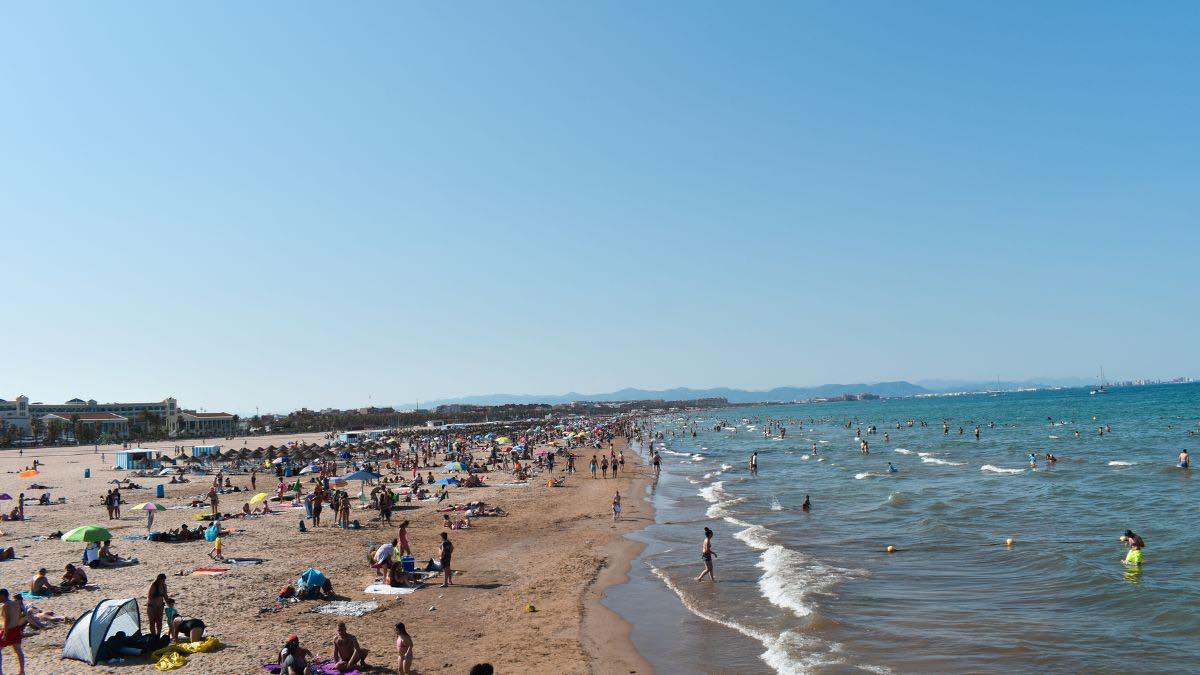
394, 475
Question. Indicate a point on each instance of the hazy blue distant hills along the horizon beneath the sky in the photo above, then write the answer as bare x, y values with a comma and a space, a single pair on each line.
886, 390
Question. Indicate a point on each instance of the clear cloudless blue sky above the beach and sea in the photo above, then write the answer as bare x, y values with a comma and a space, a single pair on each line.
283, 205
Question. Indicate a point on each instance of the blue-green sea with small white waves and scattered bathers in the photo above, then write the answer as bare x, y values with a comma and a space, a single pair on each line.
819, 593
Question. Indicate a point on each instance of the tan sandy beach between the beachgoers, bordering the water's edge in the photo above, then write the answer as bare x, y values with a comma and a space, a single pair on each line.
557, 552
